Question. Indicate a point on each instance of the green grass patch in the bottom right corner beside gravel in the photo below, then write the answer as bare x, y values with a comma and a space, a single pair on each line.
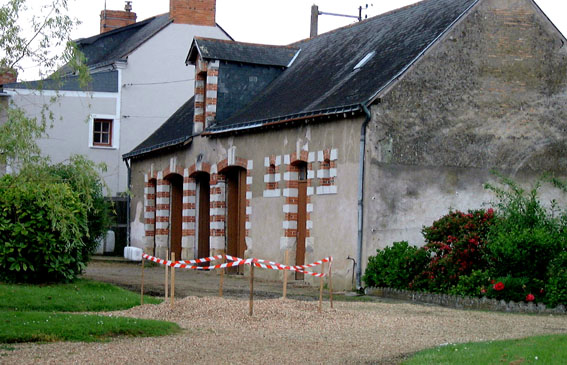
550, 349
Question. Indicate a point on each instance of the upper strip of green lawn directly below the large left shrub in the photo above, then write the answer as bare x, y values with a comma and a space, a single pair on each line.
78, 296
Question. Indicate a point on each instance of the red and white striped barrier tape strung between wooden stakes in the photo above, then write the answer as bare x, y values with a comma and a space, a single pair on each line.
236, 261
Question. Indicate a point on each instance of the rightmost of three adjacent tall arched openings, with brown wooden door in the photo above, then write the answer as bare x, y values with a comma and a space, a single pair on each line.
236, 214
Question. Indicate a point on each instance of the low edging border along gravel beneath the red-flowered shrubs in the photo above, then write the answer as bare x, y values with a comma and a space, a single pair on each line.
460, 302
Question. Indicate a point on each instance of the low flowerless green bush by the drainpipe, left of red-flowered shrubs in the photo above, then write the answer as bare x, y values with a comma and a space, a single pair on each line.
395, 266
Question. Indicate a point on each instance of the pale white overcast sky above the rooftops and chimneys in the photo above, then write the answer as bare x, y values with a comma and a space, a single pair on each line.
265, 21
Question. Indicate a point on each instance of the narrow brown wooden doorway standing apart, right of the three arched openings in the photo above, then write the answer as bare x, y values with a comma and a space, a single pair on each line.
301, 168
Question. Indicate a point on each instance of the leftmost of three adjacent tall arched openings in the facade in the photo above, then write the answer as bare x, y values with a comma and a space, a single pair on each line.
175, 214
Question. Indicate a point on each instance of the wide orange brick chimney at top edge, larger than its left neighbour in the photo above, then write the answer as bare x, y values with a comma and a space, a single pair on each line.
198, 12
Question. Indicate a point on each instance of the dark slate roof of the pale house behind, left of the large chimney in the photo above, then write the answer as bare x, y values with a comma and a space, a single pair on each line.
106, 48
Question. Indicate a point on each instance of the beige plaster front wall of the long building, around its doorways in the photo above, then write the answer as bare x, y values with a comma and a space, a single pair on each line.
334, 215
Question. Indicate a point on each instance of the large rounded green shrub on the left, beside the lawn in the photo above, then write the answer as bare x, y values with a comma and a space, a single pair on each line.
35, 247
